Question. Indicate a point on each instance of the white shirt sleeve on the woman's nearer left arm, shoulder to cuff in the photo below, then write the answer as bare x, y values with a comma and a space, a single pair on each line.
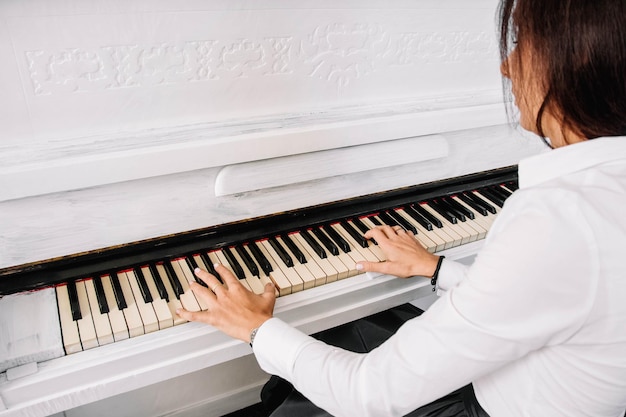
530, 287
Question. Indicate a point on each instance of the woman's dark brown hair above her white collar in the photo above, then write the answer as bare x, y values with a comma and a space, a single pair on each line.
581, 48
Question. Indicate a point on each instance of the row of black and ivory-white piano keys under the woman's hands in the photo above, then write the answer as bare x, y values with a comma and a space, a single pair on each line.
124, 302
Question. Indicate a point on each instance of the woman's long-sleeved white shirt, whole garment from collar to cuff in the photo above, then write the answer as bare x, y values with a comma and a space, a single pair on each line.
537, 323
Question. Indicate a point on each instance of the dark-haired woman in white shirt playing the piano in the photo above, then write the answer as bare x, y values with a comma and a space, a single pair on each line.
537, 325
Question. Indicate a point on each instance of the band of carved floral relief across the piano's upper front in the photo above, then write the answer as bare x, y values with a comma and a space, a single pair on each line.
335, 53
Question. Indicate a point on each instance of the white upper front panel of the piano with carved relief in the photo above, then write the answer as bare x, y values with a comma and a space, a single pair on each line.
78, 71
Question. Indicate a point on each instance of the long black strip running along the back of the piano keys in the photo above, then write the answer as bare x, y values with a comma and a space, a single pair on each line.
76, 266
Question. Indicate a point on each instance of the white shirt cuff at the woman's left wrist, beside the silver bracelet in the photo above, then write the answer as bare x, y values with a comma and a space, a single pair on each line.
277, 345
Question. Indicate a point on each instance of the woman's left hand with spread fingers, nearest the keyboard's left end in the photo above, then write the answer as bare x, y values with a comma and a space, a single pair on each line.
231, 307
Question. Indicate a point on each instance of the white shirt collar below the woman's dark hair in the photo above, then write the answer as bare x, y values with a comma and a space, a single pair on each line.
569, 159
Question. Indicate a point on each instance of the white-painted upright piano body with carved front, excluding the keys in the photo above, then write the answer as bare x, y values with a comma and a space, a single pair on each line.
144, 121
